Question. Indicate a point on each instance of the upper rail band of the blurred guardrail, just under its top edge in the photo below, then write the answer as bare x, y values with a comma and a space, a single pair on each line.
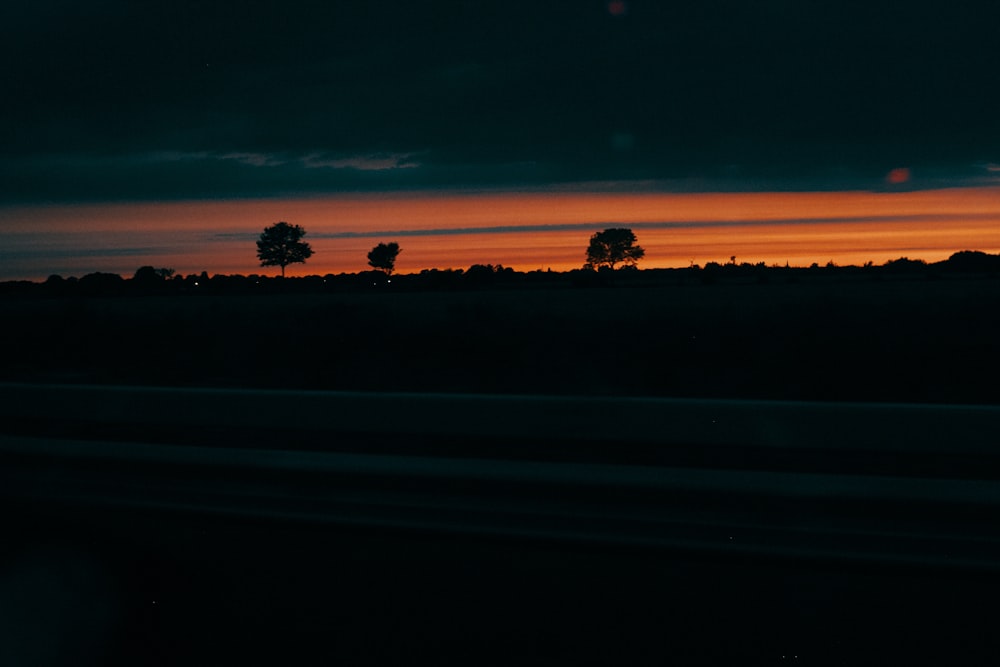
664, 421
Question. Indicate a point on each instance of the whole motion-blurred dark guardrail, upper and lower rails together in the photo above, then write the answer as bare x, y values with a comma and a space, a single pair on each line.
722, 477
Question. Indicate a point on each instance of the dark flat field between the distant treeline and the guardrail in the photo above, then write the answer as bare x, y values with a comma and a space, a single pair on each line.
839, 338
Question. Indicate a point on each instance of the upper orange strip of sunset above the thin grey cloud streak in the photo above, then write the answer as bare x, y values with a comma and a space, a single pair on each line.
406, 211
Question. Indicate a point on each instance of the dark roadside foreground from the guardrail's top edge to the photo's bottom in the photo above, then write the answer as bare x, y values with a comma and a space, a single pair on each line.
149, 526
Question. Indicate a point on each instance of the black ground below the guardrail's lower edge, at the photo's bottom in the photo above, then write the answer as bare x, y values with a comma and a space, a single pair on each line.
155, 588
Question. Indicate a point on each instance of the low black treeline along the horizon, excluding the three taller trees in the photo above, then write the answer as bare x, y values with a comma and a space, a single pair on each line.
149, 280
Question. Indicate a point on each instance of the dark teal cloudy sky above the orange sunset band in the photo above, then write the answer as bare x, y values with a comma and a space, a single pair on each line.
112, 100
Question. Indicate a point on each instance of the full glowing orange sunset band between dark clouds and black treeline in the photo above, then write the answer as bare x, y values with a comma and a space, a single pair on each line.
218, 236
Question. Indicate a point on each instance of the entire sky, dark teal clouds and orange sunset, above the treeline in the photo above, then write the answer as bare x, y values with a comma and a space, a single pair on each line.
171, 133
